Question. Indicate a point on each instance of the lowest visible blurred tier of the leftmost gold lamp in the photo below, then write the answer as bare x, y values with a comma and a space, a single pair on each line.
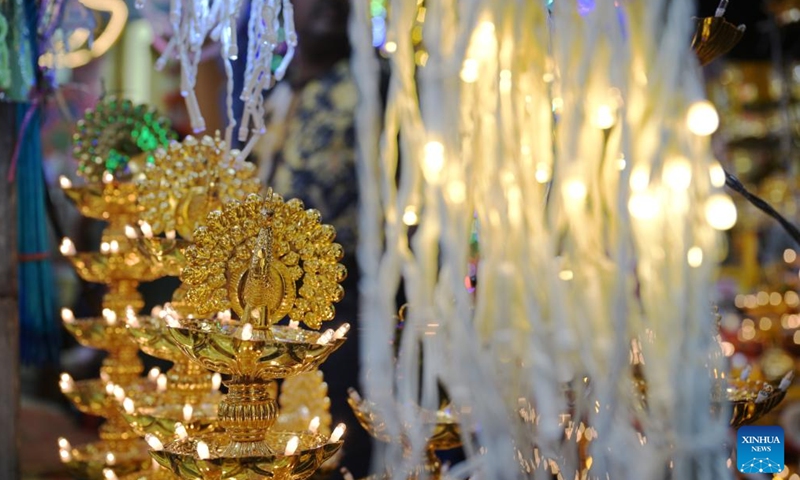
88, 461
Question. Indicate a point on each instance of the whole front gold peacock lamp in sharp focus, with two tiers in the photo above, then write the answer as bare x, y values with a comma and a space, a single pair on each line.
249, 258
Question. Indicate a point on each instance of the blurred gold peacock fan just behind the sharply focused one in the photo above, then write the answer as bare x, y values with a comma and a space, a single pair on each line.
188, 180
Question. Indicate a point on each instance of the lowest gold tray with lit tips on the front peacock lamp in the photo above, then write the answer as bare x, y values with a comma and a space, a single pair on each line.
182, 458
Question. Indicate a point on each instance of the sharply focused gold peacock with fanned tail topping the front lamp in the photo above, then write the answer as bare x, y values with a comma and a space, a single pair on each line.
300, 249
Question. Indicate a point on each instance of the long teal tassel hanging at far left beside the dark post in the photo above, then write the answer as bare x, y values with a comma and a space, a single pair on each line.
39, 330
